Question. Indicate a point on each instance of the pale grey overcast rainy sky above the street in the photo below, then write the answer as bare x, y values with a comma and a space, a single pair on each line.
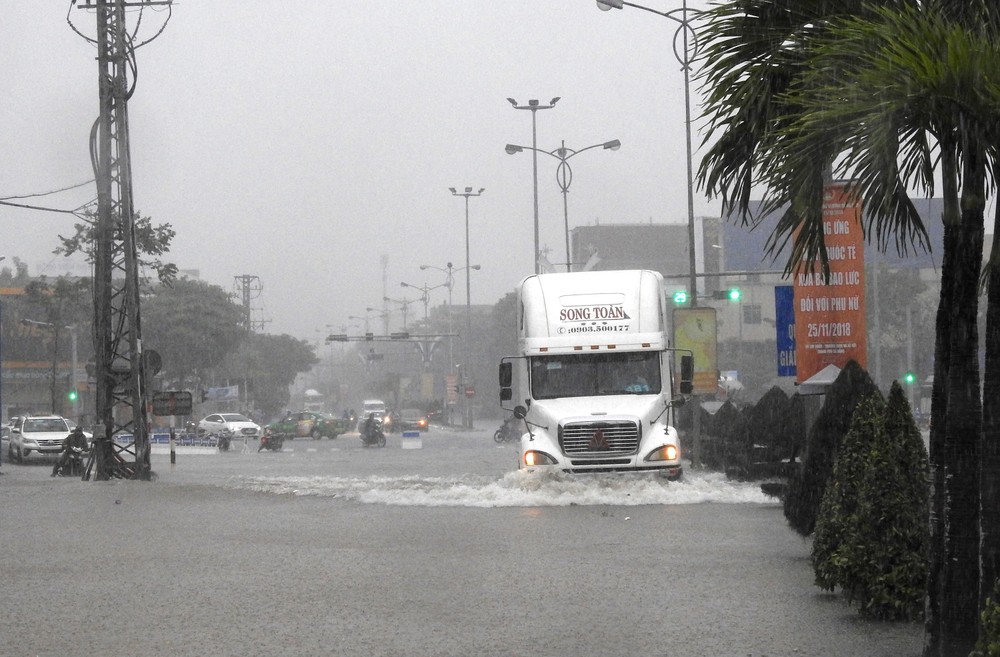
307, 143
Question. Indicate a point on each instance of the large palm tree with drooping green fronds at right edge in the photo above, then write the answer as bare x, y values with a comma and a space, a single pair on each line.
879, 96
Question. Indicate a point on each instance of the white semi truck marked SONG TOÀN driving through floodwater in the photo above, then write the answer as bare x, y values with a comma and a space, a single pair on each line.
593, 380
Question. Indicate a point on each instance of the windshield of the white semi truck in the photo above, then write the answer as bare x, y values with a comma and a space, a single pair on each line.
595, 374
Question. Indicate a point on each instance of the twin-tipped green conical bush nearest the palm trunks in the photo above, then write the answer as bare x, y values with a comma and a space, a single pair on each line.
872, 533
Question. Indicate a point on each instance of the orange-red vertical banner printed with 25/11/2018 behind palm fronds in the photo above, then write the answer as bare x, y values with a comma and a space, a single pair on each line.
830, 324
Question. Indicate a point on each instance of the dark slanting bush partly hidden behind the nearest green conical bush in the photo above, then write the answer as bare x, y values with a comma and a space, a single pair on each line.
807, 484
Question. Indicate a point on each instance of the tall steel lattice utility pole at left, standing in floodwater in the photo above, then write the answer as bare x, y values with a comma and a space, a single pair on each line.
120, 367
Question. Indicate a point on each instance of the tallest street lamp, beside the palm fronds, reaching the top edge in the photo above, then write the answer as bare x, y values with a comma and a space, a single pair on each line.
685, 44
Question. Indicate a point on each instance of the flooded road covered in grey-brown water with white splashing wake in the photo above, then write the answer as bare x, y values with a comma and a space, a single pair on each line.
440, 549
